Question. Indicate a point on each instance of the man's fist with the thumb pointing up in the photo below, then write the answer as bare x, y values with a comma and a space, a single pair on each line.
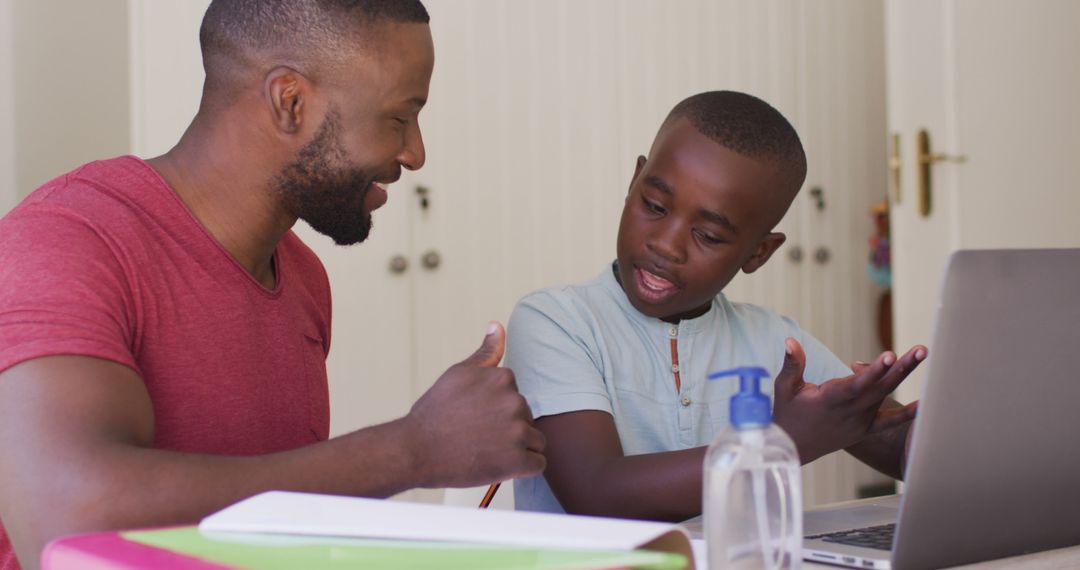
474, 426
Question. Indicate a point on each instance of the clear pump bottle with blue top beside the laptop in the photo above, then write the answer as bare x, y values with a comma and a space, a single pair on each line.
753, 495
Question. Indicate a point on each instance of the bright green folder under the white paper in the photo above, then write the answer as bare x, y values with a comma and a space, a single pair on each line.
273, 552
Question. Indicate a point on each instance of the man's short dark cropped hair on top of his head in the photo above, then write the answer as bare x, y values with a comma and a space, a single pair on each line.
309, 35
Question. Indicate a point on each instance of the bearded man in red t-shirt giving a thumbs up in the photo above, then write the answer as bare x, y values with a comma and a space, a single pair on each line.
163, 331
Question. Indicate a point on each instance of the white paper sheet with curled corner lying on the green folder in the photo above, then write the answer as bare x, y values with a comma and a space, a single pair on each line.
307, 514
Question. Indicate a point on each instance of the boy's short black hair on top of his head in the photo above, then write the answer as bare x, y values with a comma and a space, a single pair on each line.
747, 126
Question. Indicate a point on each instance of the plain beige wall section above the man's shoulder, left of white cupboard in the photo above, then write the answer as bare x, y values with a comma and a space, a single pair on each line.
71, 86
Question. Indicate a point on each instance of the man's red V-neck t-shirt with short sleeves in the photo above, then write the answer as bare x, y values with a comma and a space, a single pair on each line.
107, 262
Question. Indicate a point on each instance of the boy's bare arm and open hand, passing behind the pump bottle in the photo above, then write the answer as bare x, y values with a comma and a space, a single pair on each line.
587, 470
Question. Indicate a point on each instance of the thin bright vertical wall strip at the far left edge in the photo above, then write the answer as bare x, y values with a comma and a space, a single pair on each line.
8, 194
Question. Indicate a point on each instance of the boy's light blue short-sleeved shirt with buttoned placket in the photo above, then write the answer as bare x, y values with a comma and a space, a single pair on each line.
586, 348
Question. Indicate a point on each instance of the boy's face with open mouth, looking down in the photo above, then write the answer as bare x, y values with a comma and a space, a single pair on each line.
696, 214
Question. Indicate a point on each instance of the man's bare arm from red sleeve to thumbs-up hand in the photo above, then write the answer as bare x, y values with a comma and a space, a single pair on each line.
77, 433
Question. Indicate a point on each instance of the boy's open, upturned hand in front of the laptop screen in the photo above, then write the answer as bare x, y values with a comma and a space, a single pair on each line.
841, 413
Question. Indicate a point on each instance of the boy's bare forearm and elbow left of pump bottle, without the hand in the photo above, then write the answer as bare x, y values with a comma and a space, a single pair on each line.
589, 474
